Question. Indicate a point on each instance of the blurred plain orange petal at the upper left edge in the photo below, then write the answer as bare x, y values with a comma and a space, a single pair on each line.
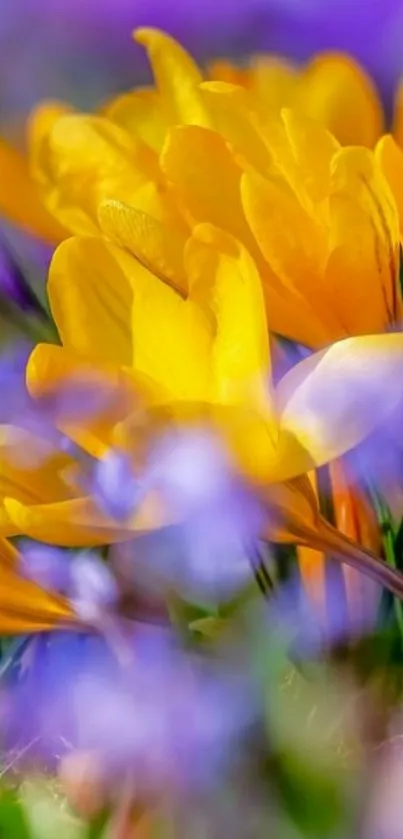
20, 201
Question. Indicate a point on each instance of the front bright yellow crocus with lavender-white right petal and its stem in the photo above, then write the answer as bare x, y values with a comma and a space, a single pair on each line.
202, 358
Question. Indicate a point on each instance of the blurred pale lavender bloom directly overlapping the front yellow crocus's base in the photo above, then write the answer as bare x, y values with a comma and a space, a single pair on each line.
206, 553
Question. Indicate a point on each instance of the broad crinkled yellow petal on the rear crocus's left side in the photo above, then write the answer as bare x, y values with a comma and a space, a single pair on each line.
86, 160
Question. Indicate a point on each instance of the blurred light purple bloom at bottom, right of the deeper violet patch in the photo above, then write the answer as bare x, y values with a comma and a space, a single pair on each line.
170, 720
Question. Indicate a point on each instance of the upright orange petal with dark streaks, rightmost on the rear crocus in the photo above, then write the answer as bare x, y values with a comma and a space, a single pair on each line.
365, 239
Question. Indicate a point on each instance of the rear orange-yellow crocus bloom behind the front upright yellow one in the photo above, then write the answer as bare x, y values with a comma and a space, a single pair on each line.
319, 220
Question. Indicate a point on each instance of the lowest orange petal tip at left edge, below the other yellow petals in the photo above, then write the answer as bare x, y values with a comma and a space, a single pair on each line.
24, 607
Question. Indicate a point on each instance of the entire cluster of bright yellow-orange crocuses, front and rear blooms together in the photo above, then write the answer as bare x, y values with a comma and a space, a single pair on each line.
199, 220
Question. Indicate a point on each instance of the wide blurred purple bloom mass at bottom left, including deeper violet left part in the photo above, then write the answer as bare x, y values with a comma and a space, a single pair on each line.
170, 721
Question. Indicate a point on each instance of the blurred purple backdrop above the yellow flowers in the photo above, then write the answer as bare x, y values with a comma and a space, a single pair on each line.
82, 49
